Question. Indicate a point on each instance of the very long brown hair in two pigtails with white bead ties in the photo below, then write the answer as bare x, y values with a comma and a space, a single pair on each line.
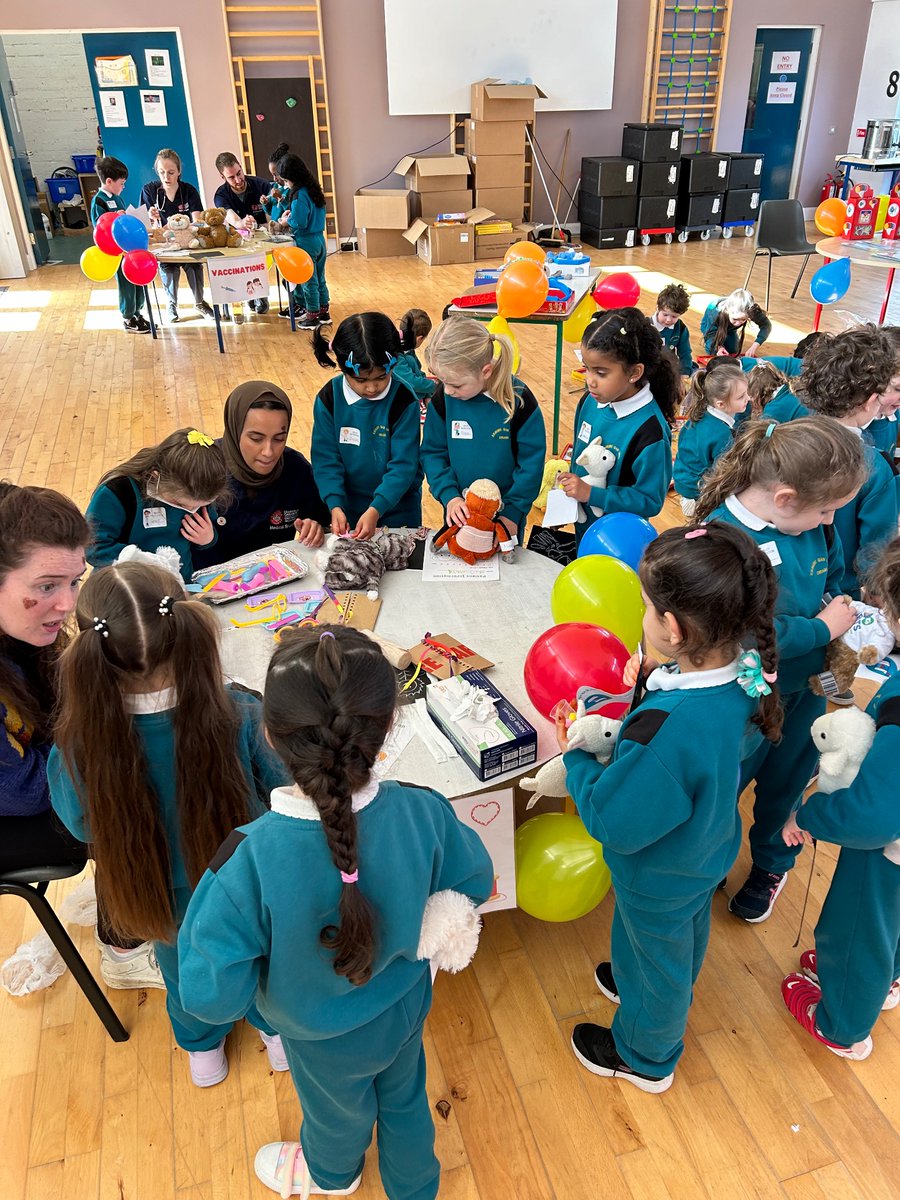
137, 623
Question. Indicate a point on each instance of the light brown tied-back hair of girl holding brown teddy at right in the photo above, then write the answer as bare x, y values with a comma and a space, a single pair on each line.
821, 460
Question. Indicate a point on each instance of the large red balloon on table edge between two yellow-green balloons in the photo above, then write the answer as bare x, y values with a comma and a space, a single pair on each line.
577, 656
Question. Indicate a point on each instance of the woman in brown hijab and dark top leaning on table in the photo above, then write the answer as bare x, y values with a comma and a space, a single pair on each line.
274, 494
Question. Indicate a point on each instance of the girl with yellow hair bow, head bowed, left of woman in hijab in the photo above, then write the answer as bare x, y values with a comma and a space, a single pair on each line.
164, 496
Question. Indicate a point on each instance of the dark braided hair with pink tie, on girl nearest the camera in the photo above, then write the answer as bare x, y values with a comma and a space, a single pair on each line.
328, 706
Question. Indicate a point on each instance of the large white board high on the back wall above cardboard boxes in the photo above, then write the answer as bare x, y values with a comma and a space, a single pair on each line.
439, 49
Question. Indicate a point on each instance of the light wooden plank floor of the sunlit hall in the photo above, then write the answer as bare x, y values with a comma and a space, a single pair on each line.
758, 1109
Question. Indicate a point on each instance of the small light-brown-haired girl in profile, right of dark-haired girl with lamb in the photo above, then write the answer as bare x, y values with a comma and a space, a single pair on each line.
717, 398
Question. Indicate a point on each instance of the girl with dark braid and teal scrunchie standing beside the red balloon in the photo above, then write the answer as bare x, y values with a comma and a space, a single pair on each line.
667, 815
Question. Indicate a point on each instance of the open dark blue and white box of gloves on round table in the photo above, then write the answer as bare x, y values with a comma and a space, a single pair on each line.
505, 743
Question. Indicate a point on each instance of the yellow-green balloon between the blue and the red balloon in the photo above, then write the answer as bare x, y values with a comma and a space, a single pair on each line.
604, 592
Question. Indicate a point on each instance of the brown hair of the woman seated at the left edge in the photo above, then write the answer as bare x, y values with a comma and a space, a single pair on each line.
31, 519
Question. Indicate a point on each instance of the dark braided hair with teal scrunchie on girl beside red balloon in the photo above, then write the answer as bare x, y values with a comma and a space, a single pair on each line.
722, 590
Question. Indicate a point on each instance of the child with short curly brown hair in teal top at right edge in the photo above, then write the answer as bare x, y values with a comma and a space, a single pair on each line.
843, 379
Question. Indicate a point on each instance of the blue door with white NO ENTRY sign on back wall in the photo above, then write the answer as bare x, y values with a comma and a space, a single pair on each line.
775, 106
